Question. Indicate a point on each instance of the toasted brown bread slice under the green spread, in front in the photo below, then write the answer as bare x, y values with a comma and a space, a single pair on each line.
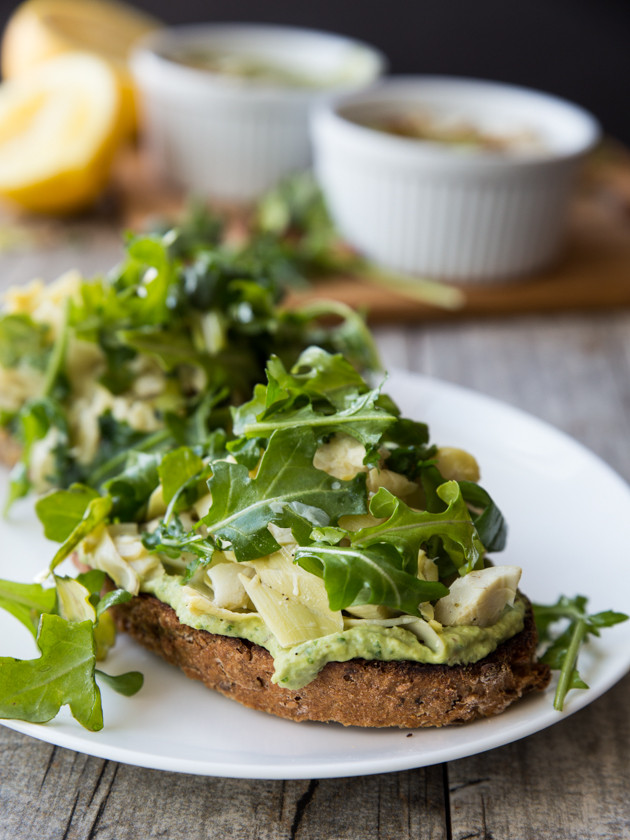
355, 693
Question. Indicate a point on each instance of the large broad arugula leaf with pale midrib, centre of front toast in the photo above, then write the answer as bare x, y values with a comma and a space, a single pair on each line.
242, 506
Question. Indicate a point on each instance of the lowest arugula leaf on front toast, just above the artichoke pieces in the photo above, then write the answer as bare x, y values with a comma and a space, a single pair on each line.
372, 575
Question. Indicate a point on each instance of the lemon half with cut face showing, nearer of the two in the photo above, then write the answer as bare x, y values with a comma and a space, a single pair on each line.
59, 131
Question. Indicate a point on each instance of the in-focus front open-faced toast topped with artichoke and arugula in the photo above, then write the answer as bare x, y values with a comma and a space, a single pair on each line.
322, 562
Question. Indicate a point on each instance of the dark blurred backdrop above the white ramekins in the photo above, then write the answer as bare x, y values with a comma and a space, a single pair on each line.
577, 49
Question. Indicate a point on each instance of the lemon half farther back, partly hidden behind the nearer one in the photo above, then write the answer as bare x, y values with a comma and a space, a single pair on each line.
42, 29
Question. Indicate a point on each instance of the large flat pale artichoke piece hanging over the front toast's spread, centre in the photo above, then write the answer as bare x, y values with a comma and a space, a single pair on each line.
292, 603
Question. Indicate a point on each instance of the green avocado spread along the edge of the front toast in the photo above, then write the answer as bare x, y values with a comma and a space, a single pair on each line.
297, 665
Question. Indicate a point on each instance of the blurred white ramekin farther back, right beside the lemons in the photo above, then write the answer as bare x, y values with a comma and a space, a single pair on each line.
225, 138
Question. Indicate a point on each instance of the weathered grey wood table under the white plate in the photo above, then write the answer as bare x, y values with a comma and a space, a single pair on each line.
569, 781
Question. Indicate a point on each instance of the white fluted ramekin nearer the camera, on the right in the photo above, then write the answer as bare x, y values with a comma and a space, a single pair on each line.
426, 208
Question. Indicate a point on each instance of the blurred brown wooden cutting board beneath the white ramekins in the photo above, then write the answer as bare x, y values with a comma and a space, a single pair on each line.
592, 273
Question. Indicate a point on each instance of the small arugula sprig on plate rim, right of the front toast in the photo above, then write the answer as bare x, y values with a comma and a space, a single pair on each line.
562, 654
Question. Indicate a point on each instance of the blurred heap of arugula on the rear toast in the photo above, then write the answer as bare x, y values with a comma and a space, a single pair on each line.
205, 315
